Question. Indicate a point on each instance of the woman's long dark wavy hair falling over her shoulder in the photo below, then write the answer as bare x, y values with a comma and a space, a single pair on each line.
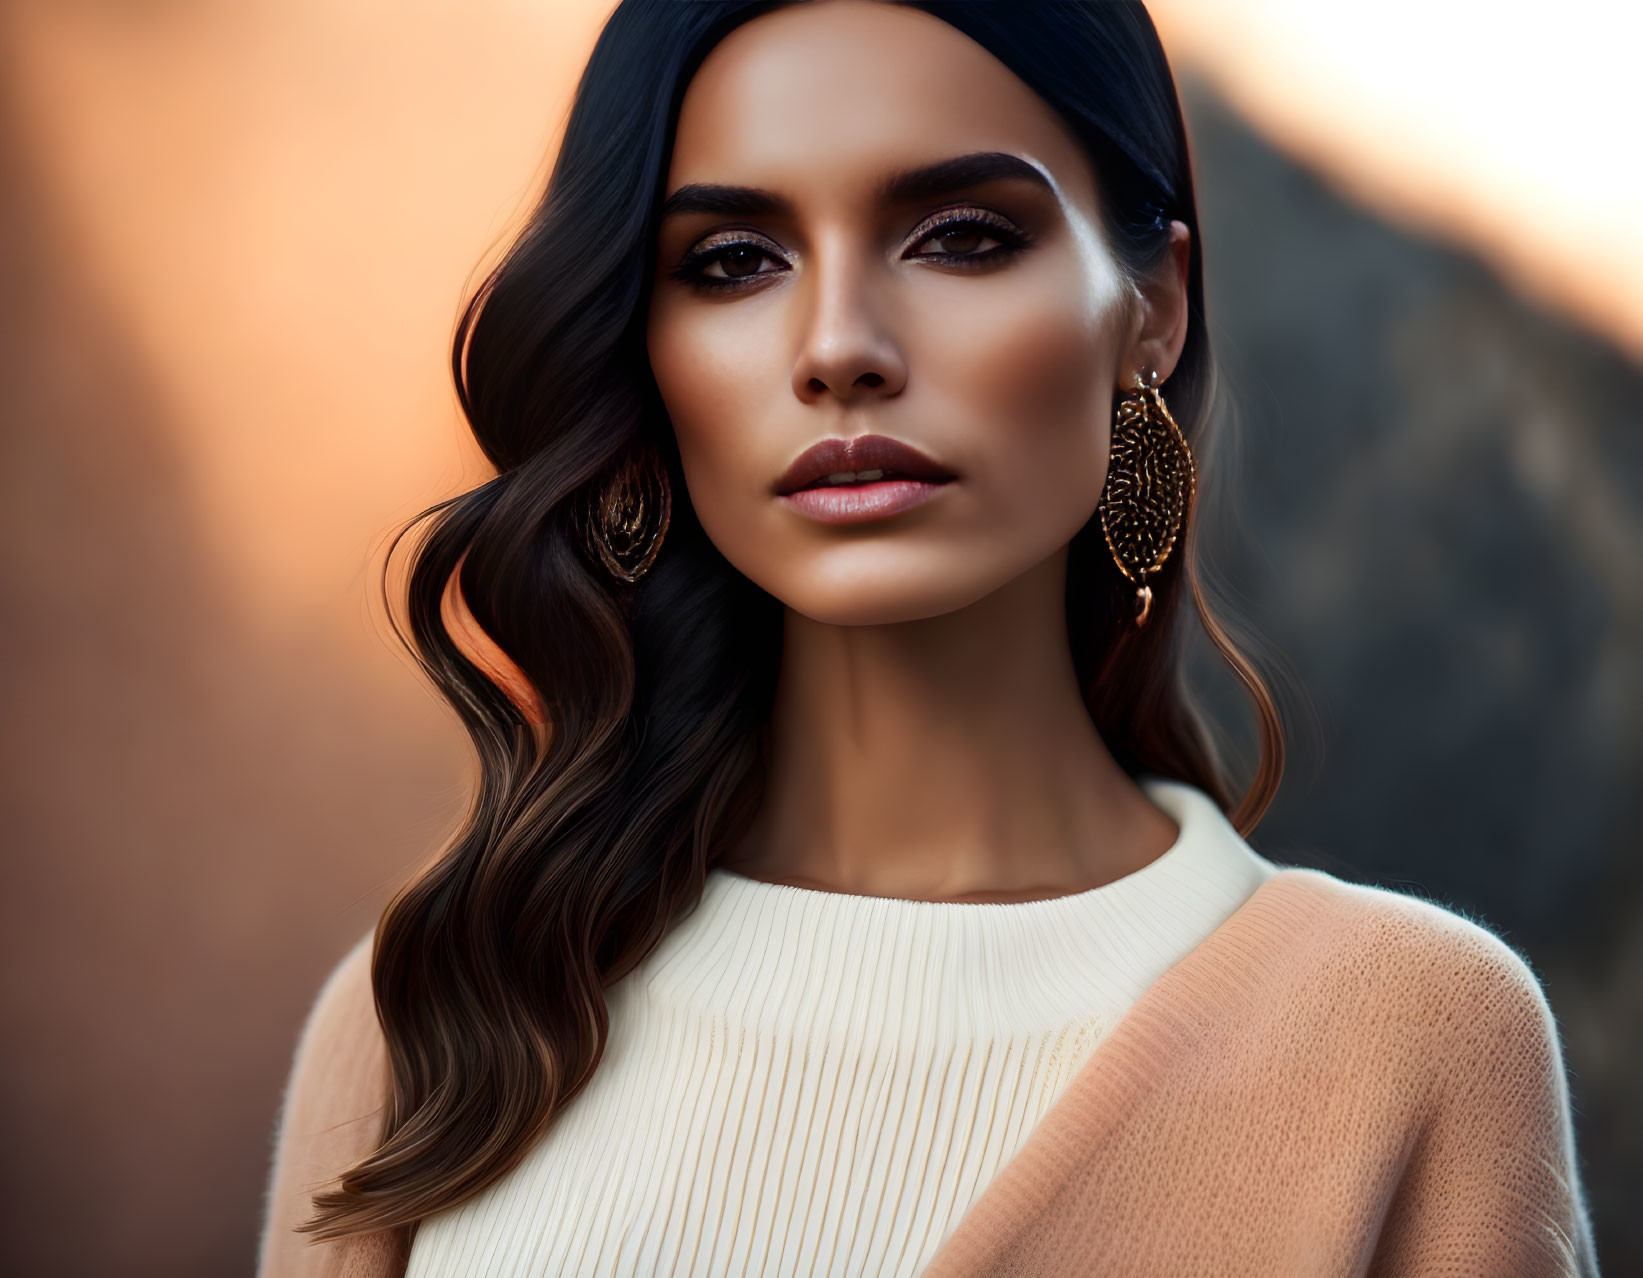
640, 760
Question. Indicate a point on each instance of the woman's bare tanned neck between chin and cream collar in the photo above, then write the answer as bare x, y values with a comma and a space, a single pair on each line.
949, 758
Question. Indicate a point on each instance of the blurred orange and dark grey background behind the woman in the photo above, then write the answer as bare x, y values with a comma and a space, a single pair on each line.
234, 241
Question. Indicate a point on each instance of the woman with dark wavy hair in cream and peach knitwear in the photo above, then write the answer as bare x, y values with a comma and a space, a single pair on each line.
850, 888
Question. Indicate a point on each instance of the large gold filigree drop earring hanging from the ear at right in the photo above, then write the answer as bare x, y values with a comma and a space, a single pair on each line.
1151, 480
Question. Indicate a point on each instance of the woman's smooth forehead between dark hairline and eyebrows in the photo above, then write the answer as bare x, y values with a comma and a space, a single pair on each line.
822, 98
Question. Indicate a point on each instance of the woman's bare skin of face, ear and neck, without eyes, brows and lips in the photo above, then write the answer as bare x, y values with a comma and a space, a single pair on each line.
929, 740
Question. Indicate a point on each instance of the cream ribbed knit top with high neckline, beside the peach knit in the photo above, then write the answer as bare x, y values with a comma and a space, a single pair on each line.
819, 1083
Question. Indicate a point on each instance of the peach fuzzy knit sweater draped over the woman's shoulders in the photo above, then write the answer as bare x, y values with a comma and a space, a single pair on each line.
1342, 1080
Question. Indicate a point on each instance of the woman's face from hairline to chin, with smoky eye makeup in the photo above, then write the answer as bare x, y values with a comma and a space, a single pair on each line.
992, 344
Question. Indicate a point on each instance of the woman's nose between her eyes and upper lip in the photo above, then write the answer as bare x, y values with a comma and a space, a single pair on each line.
847, 346
